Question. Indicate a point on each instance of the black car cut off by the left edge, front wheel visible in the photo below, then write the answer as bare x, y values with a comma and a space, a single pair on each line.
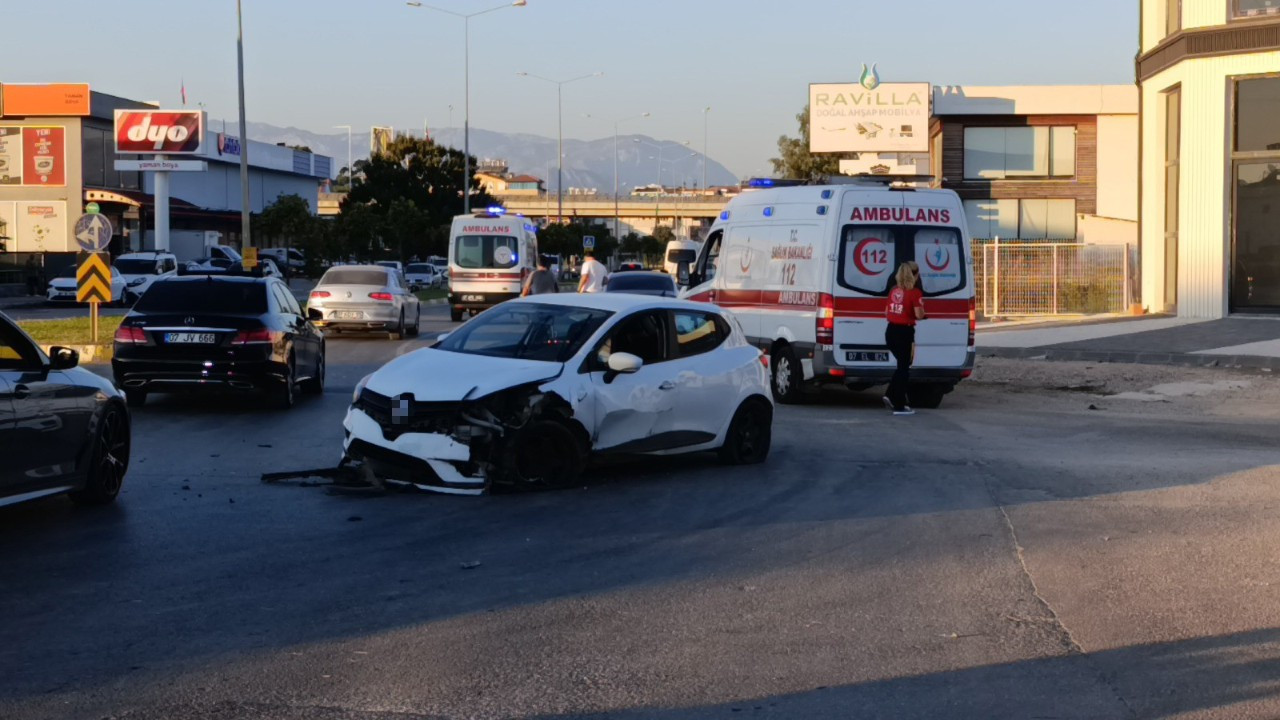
63, 430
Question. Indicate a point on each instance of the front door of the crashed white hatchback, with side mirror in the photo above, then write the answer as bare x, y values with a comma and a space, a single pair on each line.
630, 408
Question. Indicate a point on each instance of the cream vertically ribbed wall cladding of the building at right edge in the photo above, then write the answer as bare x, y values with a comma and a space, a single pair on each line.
1205, 197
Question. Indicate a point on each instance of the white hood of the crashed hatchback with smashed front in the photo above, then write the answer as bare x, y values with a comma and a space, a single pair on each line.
440, 376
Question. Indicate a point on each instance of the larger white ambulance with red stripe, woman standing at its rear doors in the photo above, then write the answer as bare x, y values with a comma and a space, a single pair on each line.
807, 271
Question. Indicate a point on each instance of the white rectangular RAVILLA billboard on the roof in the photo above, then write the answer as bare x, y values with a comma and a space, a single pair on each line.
870, 117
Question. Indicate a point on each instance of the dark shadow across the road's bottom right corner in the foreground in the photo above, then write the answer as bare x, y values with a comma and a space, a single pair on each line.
1212, 675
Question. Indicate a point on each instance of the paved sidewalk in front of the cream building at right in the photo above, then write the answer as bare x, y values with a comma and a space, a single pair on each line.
1232, 343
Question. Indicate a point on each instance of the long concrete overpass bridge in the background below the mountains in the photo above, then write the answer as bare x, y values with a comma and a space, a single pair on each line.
685, 215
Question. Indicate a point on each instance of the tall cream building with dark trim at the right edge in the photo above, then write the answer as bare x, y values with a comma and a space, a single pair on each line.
1209, 74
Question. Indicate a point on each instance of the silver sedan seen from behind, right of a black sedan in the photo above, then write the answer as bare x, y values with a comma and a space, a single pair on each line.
365, 298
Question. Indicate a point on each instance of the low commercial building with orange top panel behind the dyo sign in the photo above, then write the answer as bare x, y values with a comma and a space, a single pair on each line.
58, 153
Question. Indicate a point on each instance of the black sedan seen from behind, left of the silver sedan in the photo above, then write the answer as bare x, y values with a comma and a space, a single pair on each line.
218, 332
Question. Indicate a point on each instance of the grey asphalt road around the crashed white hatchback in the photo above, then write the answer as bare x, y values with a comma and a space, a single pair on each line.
1011, 555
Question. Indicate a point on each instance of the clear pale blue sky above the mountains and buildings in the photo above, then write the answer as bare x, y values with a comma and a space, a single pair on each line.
318, 63
